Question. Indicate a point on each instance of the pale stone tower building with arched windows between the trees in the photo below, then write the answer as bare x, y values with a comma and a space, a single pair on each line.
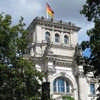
53, 48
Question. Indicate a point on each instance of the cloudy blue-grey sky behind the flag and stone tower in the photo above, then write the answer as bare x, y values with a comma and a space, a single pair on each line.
66, 10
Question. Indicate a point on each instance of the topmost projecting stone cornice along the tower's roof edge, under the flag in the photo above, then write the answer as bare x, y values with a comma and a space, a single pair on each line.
53, 23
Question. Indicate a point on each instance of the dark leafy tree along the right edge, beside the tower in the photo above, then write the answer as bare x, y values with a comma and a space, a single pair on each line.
91, 10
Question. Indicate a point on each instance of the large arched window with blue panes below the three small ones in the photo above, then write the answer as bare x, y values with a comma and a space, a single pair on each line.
61, 85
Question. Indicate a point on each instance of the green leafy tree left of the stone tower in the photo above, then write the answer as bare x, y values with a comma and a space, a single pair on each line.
19, 80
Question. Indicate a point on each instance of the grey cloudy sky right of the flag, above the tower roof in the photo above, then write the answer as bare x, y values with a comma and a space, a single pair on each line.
69, 10
